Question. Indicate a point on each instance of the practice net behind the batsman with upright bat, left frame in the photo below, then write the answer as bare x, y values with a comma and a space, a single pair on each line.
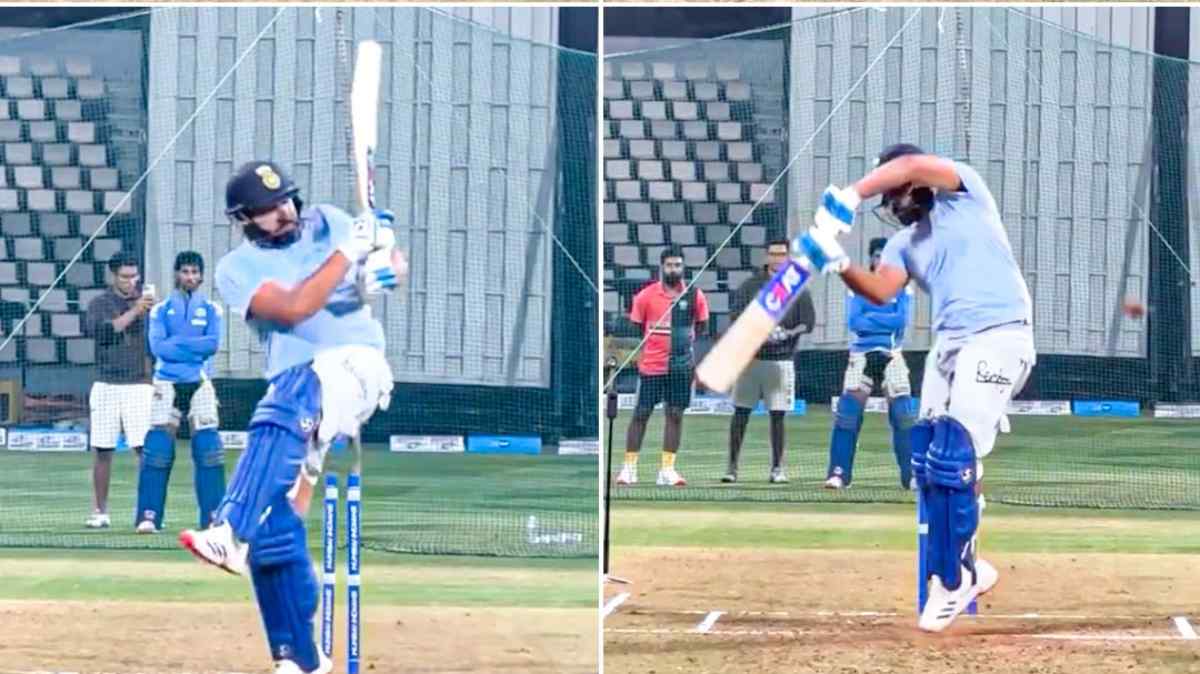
119, 137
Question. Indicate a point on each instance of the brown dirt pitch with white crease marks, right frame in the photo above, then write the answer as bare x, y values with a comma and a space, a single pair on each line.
740, 611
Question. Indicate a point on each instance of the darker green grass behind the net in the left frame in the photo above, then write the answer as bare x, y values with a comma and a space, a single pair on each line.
435, 504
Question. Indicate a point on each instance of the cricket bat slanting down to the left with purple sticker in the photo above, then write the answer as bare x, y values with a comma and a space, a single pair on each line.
734, 352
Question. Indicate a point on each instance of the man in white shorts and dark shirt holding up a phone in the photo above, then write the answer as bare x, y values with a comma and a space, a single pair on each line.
122, 395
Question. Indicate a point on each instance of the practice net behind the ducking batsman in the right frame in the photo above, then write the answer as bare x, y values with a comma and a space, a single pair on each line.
721, 146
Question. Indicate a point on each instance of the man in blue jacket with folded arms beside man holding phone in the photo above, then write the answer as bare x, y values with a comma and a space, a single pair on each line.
184, 334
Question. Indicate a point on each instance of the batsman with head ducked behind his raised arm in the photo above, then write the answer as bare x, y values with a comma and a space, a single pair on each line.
953, 244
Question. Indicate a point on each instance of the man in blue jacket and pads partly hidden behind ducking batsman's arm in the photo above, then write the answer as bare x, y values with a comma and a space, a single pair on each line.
877, 336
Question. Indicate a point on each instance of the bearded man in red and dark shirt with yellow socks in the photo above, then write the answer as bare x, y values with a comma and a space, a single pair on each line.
670, 320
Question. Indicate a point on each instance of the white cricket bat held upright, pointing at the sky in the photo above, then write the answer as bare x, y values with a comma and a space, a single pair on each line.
365, 121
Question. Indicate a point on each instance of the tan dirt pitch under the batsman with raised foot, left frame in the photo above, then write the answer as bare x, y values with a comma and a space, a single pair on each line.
221, 639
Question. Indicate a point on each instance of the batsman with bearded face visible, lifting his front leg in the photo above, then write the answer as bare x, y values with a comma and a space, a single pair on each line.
301, 280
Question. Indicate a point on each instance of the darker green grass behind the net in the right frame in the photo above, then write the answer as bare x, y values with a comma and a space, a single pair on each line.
1060, 461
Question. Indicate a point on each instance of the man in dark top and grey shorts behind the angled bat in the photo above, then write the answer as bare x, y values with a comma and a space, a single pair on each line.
771, 378
